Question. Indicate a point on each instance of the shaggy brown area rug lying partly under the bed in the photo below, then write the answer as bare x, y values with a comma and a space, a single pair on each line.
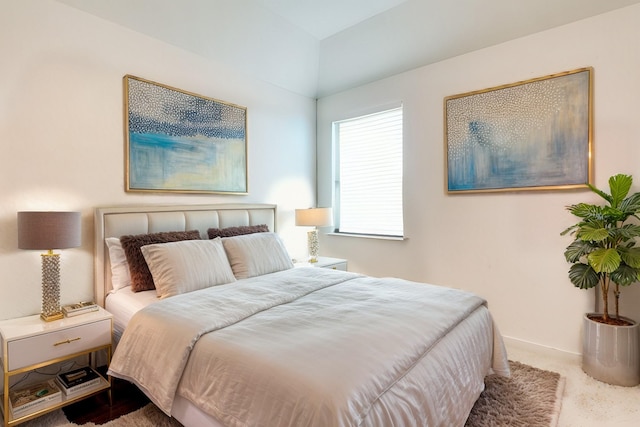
530, 398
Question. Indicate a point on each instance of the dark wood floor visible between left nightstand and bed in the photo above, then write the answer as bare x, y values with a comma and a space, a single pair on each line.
125, 396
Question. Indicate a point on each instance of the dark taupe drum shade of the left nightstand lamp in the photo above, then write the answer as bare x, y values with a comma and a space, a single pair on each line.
48, 230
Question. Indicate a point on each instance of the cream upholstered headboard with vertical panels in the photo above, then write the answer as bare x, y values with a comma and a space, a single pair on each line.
122, 220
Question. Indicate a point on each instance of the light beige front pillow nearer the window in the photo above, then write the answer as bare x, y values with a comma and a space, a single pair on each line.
256, 254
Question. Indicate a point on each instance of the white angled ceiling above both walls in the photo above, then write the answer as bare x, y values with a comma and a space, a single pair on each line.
320, 47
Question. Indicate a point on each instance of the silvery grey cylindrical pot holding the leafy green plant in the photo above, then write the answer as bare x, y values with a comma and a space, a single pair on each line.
611, 354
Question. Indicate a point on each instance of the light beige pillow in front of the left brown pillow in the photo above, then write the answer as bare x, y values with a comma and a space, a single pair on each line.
185, 266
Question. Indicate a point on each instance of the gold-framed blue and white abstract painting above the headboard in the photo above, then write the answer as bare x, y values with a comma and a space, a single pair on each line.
178, 141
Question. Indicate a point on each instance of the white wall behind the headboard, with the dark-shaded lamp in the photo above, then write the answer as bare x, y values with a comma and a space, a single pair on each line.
62, 143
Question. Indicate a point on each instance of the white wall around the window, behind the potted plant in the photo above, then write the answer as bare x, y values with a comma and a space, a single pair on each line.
503, 246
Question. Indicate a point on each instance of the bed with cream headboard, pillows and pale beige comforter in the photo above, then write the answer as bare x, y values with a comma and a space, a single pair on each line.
274, 345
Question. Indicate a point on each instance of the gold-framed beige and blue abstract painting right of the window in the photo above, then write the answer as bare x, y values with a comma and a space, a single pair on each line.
531, 135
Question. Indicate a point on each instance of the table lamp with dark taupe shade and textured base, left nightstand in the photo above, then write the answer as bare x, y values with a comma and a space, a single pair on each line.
49, 231
